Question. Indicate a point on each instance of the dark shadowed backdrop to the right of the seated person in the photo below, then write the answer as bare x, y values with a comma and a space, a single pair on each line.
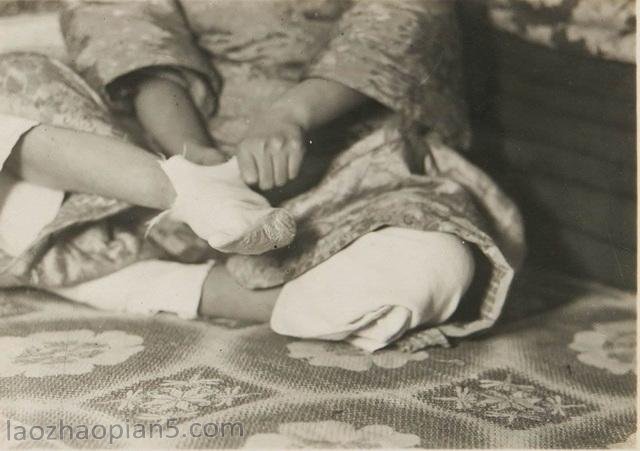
558, 132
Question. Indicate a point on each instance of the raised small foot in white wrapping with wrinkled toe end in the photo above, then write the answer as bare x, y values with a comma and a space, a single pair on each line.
221, 209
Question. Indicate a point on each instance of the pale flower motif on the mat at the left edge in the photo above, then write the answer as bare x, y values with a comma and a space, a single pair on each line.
65, 352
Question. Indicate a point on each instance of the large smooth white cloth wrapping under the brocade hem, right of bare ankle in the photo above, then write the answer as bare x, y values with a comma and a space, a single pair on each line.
383, 284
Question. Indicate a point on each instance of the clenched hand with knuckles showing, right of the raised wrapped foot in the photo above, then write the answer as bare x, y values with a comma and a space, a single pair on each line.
271, 152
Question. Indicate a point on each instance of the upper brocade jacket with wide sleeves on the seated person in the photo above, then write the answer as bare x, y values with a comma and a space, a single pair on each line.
404, 54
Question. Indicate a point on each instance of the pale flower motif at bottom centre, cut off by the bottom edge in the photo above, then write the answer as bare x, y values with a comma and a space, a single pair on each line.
332, 434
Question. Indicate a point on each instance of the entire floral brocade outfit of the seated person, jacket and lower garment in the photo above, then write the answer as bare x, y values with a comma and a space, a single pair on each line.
390, 165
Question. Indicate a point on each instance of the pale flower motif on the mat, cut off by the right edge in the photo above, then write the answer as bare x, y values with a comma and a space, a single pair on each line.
610, 346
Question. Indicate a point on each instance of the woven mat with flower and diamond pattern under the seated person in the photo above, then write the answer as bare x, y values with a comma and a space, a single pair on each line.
522, 386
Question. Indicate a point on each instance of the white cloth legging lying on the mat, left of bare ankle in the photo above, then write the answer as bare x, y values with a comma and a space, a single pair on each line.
145, 287
